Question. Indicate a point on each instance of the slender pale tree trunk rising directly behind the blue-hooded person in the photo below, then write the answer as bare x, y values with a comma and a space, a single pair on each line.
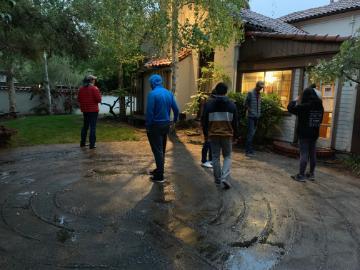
174, 43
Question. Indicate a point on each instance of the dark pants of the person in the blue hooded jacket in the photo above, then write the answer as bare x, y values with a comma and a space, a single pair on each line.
157, 135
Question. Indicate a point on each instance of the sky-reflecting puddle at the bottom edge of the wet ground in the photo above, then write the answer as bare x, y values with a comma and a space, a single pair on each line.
259, 257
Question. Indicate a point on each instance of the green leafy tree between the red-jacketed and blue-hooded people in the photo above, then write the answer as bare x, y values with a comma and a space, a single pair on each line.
119, 28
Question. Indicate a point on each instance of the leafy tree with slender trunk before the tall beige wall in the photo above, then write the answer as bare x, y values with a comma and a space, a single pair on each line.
211, 24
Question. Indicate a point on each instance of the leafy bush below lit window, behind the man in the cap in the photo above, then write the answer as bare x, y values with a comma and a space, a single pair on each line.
271, 114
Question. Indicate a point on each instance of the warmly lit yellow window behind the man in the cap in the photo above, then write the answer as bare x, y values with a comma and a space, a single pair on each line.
278, 82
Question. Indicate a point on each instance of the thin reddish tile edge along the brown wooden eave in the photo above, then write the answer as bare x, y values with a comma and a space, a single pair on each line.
299, 37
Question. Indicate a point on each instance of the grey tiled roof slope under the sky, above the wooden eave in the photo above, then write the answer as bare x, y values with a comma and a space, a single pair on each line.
263, 23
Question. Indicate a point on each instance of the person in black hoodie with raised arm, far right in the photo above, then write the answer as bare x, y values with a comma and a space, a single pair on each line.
309, 110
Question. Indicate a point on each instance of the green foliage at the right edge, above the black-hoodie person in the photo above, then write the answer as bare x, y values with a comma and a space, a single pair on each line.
345, 64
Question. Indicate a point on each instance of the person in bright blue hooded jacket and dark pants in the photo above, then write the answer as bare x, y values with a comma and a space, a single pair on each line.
160, 102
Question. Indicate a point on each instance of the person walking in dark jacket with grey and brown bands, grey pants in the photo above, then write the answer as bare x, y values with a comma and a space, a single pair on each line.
220, 125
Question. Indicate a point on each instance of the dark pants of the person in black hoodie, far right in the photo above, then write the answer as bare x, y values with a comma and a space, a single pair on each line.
307, 152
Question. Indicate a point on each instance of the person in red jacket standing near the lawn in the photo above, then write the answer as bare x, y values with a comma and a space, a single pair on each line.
89, 98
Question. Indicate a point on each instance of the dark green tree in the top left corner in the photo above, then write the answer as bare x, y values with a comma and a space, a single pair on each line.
37, 27
